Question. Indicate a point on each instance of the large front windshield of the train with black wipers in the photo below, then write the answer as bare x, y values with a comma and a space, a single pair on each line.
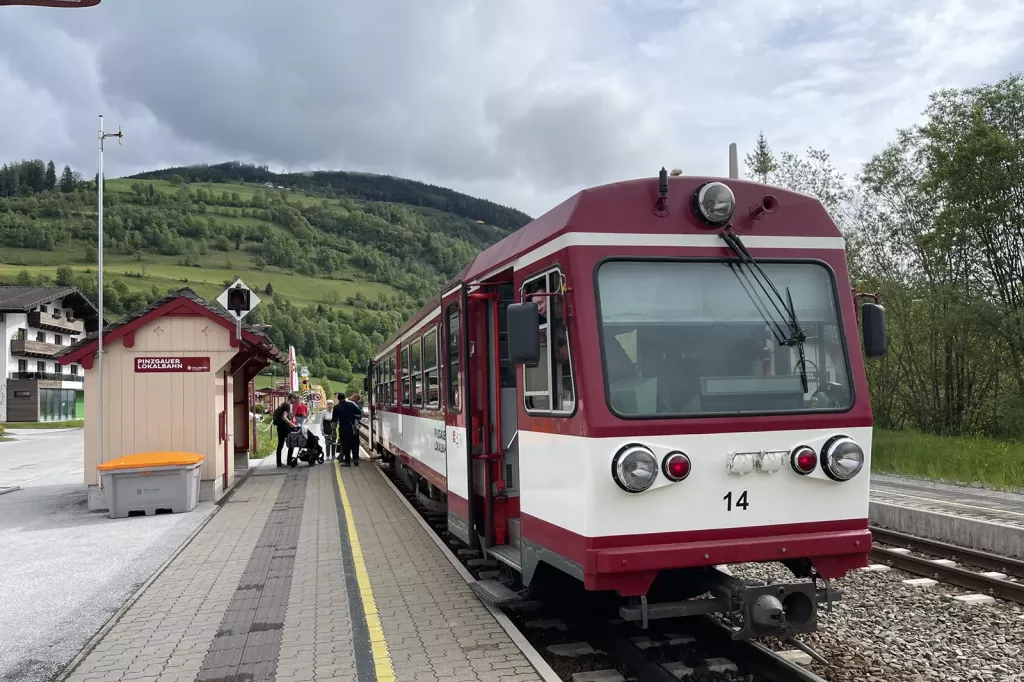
692, 338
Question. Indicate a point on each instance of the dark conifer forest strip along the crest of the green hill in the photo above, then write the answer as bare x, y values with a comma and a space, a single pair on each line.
336, 185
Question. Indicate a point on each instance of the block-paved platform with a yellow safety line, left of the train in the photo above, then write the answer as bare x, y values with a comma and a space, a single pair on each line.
309, 575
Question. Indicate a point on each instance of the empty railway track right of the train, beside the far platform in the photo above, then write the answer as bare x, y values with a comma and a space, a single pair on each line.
994, 581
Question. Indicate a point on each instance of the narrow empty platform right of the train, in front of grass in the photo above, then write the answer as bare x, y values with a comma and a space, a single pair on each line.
972, 518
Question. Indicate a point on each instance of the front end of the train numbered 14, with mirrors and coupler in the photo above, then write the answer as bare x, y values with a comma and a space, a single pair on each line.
723, 413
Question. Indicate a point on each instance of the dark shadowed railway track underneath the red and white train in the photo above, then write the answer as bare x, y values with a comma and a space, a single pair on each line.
580, 647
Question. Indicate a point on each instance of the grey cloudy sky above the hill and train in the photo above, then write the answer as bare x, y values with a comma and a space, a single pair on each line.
522, 102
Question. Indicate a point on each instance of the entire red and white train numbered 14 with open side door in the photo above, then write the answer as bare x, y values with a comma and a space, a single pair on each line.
653, 379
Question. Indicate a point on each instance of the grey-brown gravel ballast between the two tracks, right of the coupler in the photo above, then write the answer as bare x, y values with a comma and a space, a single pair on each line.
885, 631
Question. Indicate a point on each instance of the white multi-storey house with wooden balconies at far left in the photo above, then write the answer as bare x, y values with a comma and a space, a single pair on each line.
36, 324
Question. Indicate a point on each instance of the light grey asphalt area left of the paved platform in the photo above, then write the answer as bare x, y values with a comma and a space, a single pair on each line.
65, 571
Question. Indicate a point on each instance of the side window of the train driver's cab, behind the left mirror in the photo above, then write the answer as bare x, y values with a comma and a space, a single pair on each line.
548, 385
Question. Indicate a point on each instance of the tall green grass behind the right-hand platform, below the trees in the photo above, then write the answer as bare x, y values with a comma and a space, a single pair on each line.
955, 460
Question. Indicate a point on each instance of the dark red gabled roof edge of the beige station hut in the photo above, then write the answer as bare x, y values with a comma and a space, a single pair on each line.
183, 299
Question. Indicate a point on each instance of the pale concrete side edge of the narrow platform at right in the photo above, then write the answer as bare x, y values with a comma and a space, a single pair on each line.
970, 533
